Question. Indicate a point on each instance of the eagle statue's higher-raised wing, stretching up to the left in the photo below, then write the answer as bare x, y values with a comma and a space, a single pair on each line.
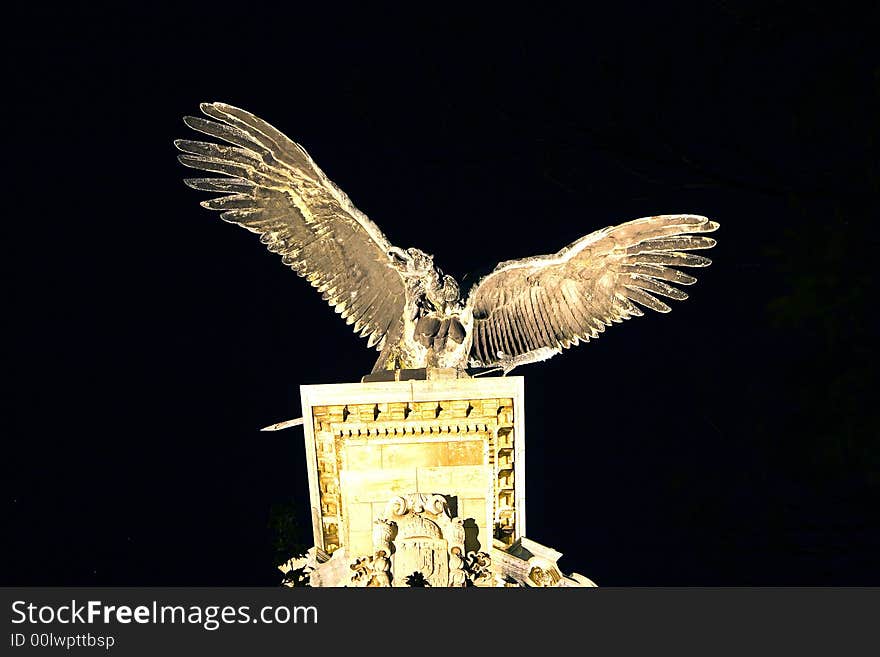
274, 189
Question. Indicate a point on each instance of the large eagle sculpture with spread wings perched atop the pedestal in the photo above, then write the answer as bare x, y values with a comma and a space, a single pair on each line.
522, 312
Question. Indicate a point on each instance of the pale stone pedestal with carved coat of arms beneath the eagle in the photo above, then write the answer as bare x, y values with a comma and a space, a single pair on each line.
420, 483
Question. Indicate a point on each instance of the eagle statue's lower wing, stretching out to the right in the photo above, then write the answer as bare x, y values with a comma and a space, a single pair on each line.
530, 309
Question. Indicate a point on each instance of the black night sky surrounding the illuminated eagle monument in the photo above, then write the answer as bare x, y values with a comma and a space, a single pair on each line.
735, 441
